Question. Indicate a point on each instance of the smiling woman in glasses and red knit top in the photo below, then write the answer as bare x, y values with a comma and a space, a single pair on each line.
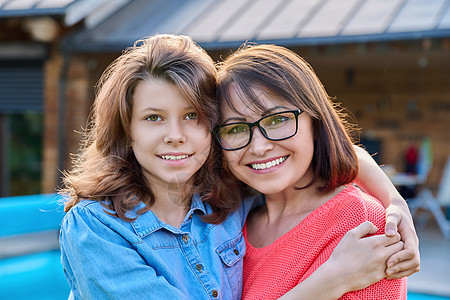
282, 136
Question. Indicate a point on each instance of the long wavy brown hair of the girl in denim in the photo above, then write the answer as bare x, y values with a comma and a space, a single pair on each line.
105, 167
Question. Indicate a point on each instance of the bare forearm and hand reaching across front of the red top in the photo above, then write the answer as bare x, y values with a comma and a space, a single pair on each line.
355, 264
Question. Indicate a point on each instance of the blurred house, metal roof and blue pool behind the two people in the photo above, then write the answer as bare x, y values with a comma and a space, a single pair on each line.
386, 61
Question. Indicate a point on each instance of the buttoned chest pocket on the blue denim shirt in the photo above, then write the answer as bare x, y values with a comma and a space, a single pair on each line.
231, 254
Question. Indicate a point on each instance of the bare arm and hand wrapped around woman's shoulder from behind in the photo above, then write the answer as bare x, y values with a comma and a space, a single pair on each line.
398, 218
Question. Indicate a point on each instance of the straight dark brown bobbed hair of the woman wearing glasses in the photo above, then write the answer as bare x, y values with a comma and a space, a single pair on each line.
282, 74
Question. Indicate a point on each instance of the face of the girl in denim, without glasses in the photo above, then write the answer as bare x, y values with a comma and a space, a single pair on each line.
168, 140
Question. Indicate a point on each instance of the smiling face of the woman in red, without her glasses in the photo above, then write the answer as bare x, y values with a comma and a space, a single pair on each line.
269, 166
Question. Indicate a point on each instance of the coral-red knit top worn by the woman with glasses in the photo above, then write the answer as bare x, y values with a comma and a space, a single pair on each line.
271, 271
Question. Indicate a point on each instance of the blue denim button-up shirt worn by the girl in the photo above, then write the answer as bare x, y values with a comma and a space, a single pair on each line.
105, 257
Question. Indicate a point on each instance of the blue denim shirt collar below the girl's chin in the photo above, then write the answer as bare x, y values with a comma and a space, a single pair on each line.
148, 222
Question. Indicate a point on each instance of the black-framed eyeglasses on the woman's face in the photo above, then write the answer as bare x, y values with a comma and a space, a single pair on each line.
275, 127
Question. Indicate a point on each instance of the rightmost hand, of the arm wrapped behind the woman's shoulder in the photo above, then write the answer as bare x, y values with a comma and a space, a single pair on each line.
406, 261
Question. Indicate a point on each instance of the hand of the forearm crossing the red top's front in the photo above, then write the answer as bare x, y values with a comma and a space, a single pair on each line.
360, 262
